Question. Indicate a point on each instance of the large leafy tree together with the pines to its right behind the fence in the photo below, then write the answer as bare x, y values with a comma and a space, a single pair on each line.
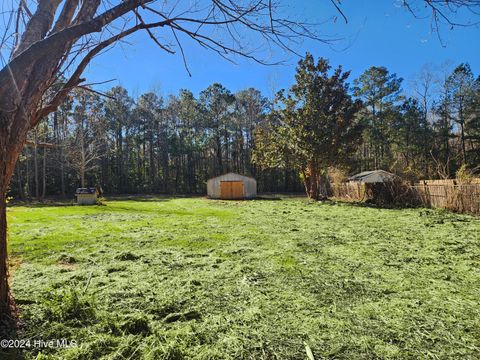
323, 123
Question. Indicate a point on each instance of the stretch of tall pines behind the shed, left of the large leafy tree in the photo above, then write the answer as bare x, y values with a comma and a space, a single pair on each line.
149, 145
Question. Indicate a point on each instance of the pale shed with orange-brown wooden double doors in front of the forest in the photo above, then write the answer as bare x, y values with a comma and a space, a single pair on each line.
232, 186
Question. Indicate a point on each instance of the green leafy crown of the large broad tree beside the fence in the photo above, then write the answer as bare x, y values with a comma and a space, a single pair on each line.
314, 122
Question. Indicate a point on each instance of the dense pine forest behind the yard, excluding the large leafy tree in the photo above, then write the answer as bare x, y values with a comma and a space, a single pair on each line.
173, 145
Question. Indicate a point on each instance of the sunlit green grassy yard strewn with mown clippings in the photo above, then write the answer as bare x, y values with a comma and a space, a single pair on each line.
190, 278
